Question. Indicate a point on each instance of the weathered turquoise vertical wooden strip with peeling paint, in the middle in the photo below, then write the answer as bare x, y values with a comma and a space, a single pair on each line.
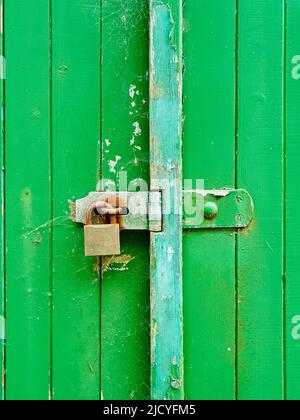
166, 166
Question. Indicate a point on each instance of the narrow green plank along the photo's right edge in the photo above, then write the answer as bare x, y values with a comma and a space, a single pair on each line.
292, 202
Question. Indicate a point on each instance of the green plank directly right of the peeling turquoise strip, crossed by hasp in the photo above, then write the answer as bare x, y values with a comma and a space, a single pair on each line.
209, 155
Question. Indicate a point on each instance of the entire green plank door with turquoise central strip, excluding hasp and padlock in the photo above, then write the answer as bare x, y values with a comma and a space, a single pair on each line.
188, 313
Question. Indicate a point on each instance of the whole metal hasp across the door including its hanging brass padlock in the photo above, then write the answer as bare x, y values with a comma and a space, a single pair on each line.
202, 209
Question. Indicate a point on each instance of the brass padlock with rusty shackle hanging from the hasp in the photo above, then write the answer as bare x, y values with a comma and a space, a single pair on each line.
102, 239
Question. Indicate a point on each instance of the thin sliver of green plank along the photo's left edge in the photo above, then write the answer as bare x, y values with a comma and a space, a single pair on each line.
2, 207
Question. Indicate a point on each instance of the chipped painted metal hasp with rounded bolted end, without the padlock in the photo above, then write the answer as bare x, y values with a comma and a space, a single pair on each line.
202, 209
